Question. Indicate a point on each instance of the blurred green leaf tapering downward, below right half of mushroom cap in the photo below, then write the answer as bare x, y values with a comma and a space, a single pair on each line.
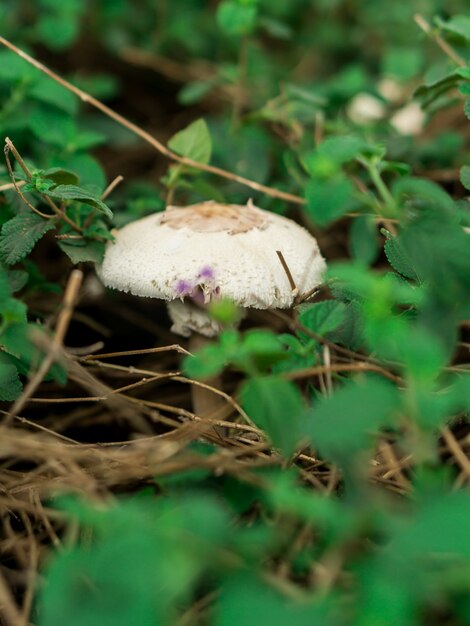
277, 407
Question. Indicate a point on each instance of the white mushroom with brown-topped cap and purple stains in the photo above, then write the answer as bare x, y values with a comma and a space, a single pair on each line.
192, 255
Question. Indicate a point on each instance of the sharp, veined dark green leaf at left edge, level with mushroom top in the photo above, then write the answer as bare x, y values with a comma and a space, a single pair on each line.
20, 234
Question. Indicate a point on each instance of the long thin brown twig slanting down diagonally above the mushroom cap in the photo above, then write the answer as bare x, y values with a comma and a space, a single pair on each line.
140, 132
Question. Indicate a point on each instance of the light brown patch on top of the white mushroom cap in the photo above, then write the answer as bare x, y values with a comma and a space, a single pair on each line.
212, 217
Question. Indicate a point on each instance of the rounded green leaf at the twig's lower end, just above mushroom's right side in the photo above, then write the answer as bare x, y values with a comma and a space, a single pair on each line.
327, 200
